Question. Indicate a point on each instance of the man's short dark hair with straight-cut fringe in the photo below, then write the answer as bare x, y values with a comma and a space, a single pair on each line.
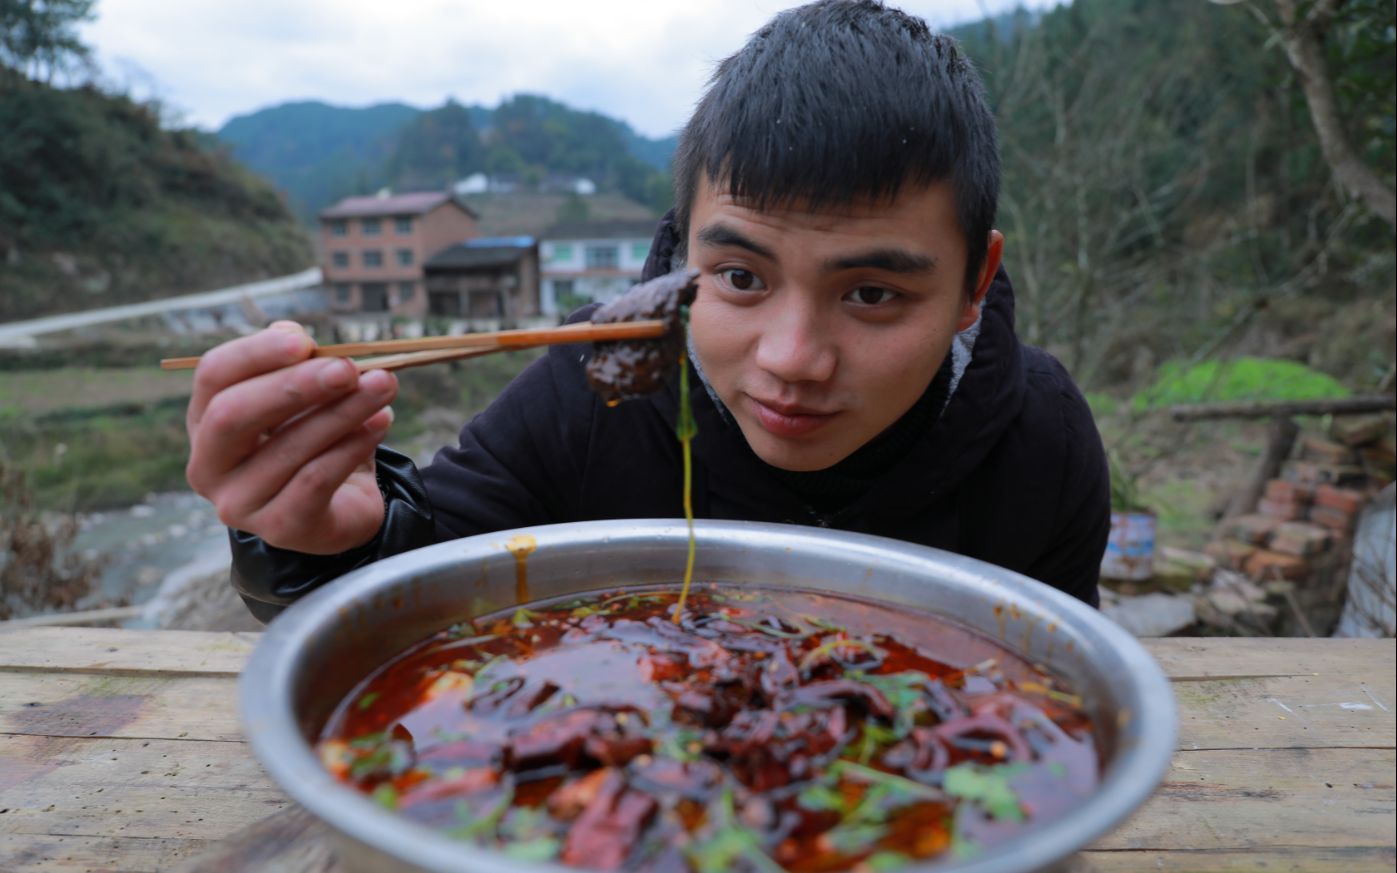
844, 101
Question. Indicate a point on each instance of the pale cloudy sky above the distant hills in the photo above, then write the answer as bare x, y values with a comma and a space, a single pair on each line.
641, 61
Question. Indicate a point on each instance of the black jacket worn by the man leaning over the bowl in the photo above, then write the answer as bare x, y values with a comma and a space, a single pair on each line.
1012, 471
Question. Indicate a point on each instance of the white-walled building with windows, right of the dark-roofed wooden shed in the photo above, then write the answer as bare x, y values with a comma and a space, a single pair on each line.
592, 262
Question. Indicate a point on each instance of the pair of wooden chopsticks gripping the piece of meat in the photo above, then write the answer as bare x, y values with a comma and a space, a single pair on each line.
400, 354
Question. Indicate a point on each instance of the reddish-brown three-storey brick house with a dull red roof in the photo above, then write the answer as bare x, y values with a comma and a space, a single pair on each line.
374, 249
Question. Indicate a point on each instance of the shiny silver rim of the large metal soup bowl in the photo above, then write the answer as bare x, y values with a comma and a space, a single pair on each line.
270, 726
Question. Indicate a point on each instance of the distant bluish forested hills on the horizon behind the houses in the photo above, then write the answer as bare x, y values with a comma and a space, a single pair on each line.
318, 153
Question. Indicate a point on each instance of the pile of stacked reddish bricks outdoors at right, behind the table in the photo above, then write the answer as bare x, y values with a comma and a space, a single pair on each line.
1305, 520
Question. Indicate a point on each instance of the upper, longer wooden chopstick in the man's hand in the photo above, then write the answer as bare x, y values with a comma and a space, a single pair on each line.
583, 332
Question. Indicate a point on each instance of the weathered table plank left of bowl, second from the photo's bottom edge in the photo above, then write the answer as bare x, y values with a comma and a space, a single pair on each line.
131, 788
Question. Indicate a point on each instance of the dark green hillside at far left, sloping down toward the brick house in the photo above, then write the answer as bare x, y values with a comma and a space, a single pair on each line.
100, 203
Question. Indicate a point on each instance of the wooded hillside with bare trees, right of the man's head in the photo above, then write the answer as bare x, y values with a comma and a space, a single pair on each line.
1166, 193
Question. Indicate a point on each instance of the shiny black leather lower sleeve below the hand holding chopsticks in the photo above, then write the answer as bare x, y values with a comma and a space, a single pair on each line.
270, 579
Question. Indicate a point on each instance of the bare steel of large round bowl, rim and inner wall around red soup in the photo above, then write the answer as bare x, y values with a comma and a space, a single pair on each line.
315, 653
